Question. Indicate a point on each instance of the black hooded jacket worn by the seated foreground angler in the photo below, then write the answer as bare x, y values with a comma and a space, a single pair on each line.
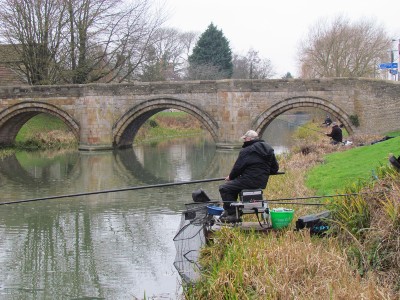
256, 161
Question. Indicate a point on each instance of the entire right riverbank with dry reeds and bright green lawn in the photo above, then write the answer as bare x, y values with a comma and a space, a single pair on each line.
357, 260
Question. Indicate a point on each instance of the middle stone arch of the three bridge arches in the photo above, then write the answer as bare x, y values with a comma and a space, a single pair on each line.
129, 124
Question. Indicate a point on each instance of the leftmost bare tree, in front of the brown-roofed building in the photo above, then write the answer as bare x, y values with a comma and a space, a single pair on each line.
35, 29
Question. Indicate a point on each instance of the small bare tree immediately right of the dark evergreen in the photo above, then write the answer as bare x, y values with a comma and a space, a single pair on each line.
251, 66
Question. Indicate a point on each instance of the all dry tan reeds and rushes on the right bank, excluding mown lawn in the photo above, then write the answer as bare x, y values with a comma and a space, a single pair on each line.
294, 265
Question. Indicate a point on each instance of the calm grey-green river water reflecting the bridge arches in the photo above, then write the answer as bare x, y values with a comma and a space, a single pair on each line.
107, 246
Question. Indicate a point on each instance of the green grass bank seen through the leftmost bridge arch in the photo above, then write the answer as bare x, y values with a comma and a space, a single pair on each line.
40, 123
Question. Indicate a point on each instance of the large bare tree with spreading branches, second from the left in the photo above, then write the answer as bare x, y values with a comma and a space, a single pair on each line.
109, 38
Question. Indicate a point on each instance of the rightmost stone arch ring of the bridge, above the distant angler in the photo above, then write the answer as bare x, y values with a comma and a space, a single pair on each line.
265, 118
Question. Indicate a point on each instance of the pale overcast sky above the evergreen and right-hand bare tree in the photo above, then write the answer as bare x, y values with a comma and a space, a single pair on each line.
275, 27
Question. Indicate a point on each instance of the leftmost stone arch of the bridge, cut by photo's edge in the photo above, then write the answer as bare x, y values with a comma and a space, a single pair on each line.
14, 117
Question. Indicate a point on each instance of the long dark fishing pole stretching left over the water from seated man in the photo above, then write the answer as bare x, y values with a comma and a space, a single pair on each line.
113, 190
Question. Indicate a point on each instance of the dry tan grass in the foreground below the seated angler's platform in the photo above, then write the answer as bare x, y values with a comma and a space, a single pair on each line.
283, 265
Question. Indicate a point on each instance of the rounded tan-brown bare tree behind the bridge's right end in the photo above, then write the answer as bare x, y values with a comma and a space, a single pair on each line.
343, 49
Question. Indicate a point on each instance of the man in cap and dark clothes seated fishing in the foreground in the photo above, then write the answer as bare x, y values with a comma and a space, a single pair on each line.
255, 162
